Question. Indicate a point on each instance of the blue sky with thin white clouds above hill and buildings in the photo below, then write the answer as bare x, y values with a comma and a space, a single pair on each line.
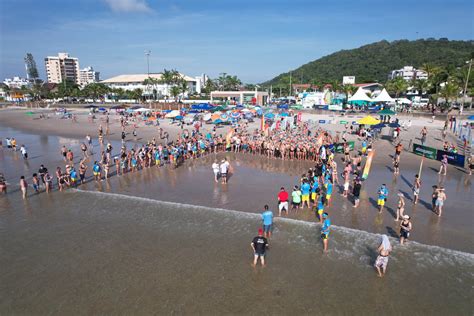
252, 39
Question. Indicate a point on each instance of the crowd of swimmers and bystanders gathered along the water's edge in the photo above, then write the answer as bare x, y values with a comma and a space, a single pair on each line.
287, 142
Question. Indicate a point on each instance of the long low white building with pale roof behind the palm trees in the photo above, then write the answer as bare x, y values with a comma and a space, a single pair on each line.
136, 81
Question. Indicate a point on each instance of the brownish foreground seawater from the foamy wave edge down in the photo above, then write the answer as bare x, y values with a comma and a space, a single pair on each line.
86, 252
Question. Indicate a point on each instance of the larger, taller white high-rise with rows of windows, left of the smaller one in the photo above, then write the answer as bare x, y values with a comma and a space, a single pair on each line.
62, 67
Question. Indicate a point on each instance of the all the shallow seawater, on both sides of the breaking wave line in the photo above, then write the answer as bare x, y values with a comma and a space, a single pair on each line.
125, 250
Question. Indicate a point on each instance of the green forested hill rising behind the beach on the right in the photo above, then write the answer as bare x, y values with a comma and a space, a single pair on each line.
373, 62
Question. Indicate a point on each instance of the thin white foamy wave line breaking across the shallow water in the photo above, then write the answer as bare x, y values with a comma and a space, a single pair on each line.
349, 234
